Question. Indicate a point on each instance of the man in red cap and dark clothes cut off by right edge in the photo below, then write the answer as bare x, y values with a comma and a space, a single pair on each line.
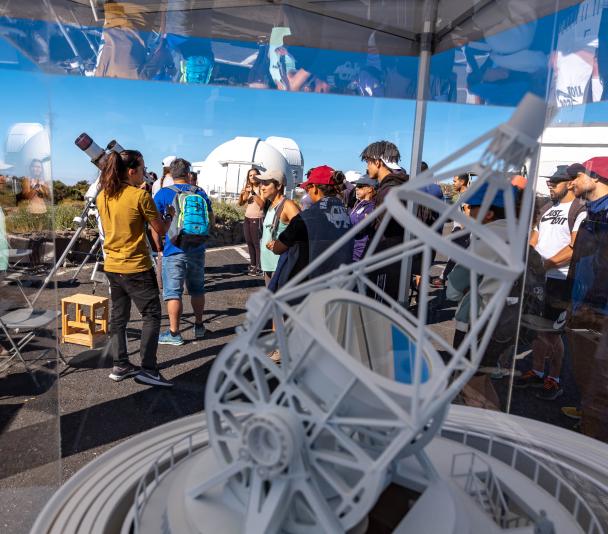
588, 324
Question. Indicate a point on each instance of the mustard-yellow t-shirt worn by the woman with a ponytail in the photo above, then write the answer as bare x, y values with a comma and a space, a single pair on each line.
122, 219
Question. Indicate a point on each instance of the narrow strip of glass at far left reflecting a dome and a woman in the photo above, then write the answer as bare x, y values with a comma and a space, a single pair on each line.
29, 360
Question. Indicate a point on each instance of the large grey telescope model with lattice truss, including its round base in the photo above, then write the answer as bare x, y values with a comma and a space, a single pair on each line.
360, 398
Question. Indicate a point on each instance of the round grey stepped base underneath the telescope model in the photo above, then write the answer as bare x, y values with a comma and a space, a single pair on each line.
541, 470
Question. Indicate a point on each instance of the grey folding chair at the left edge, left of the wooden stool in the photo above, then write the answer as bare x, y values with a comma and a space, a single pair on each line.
29, 320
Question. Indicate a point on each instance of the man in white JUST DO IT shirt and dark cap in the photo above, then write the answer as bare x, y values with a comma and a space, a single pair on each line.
553, 238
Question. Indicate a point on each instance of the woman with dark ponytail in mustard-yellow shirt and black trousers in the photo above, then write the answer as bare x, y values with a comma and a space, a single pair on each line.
124, 210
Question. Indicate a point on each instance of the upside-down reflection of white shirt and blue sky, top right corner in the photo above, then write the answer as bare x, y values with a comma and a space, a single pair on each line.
563, 56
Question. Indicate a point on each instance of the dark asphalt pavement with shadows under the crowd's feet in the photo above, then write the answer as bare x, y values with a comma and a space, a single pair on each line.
49, 432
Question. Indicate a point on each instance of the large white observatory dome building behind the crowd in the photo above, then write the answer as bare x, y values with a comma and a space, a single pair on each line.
225, 169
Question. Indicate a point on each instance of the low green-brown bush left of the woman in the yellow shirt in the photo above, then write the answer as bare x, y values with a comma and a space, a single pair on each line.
21, 221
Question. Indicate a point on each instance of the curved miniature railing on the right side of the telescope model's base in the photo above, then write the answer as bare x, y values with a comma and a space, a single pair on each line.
520, 456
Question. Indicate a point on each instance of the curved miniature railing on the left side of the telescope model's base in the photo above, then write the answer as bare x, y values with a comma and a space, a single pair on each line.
164, 464
